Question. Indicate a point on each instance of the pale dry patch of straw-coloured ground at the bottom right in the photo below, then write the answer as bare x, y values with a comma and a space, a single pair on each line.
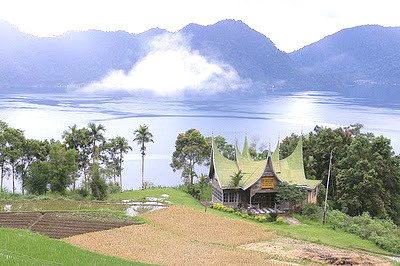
327, 255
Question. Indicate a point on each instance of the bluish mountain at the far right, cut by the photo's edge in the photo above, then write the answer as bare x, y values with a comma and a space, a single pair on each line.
363, 55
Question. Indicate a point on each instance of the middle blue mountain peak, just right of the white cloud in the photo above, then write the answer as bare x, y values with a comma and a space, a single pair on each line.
252, 54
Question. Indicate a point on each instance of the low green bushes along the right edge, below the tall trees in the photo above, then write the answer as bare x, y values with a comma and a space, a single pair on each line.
384, 233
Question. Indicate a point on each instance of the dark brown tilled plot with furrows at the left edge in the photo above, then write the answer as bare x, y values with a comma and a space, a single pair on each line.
57, 225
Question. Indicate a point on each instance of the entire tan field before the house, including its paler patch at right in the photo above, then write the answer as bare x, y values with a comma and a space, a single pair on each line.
182, 236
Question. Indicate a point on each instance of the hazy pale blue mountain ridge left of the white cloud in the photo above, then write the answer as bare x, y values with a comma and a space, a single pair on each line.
72, 58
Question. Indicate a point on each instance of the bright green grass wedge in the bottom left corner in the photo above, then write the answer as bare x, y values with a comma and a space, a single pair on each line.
22, 247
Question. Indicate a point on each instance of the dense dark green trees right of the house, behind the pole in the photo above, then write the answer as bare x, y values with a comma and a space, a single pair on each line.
363, 164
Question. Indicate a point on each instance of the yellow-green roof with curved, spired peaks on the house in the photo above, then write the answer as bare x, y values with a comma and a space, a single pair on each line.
288, 170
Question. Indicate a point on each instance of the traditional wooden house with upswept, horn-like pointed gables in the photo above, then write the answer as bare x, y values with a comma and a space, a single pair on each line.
259, 184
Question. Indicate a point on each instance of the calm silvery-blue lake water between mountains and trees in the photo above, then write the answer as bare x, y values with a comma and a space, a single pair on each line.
266, 118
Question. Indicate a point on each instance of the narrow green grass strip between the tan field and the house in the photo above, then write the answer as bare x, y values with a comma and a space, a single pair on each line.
309, 231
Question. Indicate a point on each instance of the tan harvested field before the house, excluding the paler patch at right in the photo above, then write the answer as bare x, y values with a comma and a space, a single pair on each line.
181, 236
